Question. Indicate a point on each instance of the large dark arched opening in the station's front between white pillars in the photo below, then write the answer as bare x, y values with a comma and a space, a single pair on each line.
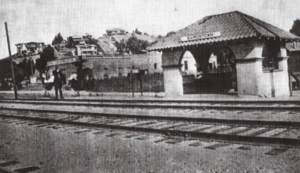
210, 71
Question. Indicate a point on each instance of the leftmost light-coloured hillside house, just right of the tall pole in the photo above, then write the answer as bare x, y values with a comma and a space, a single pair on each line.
29, 48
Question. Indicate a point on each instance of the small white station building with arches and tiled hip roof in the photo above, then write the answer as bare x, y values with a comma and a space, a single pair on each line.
250, 54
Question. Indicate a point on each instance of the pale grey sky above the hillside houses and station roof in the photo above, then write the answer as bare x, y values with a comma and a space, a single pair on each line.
41, 20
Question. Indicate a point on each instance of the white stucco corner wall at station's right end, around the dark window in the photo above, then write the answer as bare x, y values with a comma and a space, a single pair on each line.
252, 80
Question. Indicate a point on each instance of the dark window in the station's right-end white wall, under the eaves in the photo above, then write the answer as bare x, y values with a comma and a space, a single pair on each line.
270, 54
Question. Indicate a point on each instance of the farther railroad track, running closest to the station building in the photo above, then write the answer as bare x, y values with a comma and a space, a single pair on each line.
288, 105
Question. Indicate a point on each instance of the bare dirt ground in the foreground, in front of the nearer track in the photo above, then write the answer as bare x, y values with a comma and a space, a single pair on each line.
64, 150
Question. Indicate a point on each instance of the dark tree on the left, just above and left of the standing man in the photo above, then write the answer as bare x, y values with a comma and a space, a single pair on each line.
45, 56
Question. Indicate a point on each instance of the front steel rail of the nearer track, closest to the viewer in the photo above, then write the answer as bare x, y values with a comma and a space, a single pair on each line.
287, 142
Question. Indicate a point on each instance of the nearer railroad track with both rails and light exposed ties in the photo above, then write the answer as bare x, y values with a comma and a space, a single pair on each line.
248, 132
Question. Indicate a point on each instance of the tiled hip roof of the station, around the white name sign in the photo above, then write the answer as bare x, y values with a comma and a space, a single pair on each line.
230, 26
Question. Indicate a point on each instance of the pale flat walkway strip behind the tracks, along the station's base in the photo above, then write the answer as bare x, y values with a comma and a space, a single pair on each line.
137, 96
